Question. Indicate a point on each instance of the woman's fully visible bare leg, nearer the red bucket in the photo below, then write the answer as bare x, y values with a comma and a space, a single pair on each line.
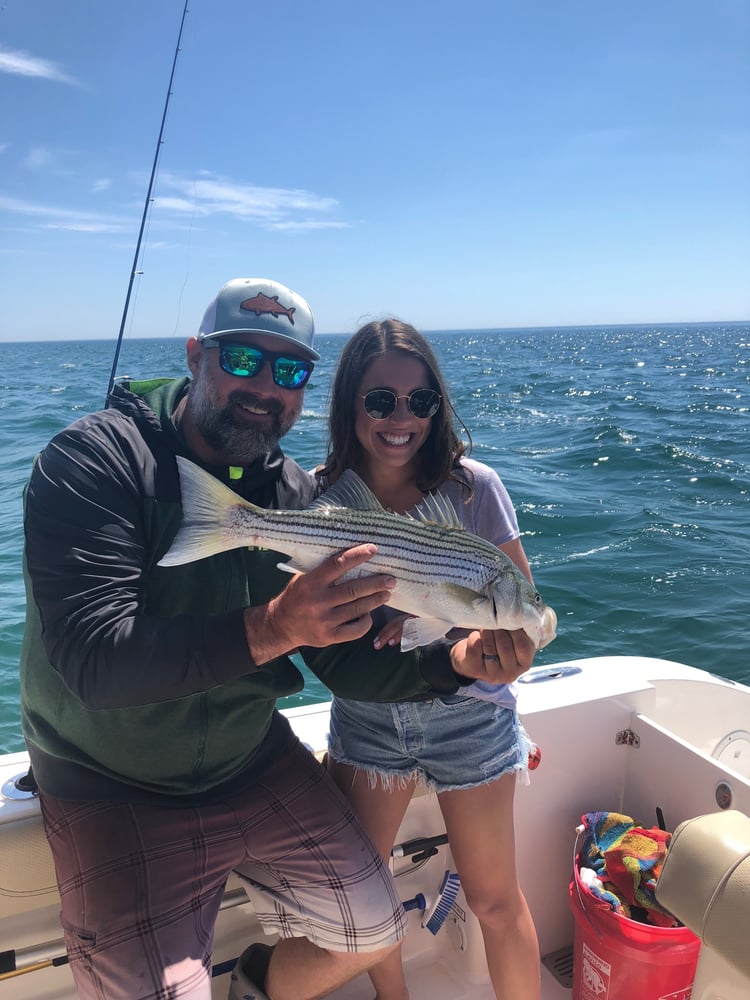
479, 823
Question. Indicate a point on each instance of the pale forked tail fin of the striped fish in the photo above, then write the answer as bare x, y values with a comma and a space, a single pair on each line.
206, 506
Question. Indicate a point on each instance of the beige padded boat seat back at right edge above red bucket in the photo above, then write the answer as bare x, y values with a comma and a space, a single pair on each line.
705, 882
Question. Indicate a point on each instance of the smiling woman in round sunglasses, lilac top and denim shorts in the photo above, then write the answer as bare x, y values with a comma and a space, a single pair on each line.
391, 421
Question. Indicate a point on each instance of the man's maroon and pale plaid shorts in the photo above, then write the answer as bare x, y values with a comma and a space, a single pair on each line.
141, 884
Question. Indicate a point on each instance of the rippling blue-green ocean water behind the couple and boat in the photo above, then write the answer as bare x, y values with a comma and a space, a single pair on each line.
626, 451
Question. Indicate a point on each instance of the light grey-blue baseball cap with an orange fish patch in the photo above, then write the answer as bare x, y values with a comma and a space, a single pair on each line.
260, 305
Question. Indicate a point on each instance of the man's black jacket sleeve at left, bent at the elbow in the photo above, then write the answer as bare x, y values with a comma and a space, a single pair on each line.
85, 554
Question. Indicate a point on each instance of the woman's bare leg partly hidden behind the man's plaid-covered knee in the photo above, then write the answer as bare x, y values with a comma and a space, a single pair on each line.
380, 810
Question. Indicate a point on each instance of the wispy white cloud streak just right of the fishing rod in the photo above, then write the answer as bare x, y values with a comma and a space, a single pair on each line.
273, 208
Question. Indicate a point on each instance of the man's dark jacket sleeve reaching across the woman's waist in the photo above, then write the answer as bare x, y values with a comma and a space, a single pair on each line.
358, 671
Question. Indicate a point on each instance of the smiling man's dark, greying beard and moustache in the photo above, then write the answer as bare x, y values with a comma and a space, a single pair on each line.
239, 443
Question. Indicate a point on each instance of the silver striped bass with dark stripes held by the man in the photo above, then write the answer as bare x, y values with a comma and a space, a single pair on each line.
446, 577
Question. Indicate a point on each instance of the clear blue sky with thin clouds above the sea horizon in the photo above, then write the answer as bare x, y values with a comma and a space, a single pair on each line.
460, 165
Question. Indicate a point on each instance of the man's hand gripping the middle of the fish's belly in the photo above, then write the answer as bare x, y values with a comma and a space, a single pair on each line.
315, 609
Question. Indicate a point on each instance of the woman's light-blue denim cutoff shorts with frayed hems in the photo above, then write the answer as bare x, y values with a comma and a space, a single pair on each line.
446, 743
